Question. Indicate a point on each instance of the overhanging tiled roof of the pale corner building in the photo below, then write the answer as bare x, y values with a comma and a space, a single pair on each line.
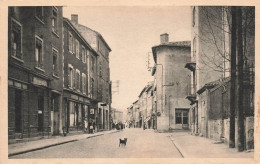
184, 44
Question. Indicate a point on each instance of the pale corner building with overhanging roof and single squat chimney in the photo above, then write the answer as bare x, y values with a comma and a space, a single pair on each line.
171, 82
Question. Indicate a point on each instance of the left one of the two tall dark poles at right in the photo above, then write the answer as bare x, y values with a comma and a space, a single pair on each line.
233, 80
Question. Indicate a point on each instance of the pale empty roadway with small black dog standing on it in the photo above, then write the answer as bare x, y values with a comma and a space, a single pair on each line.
140, 144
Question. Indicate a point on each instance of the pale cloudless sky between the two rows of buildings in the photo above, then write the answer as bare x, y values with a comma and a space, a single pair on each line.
131, 31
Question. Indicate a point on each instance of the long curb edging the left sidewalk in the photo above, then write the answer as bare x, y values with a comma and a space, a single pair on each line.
55, 144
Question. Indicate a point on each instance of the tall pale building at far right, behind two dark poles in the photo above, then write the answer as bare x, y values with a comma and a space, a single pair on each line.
209, 92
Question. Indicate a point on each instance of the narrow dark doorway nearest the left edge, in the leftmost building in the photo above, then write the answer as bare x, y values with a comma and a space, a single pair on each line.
18, 111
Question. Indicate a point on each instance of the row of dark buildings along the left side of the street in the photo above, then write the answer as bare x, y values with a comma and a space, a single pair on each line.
58, 74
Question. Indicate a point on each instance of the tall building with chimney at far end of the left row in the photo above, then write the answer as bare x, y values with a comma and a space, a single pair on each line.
101, 47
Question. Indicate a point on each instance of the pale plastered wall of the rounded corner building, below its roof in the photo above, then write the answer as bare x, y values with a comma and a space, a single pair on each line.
175, 75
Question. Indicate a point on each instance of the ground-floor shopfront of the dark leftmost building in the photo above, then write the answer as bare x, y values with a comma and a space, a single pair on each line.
33, 107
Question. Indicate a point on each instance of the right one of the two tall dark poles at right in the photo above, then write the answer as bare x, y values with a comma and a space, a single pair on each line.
240, 111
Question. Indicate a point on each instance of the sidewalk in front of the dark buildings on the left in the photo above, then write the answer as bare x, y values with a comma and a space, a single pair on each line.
19, 148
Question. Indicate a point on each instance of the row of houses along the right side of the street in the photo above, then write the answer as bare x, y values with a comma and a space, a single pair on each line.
191, 87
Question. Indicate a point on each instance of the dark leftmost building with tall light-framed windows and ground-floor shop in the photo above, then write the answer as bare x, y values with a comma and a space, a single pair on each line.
34, 71
